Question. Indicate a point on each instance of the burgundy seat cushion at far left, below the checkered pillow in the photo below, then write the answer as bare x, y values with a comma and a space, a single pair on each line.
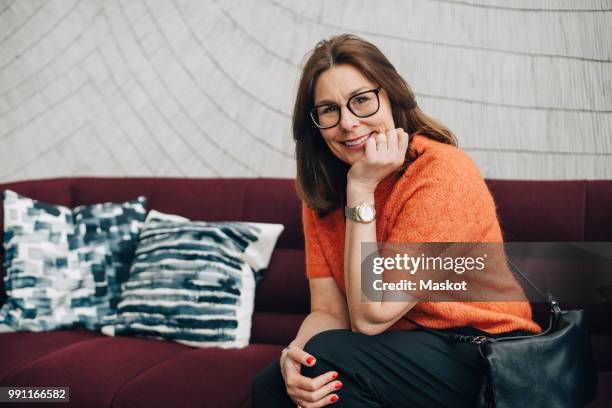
94, 367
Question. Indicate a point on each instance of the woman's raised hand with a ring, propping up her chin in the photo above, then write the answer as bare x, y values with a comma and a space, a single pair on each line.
384, 153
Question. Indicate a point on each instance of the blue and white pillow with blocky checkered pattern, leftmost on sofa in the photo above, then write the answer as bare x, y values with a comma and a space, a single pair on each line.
65, 266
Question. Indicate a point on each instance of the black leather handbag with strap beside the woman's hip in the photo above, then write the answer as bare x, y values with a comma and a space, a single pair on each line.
551, 369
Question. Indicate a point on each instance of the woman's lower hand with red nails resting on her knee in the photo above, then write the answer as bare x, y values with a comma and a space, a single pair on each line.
307, 392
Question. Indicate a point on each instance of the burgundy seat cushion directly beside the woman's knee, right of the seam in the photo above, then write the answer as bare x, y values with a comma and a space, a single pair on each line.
209, 377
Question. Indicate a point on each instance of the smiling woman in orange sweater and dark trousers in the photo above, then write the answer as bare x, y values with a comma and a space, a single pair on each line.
372, 167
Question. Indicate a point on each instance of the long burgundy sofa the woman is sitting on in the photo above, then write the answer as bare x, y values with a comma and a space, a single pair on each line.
134, 372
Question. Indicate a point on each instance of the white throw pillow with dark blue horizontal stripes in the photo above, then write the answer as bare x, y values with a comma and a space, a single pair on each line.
194, 282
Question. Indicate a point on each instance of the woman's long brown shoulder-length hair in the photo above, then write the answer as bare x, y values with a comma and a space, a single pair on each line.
321, 176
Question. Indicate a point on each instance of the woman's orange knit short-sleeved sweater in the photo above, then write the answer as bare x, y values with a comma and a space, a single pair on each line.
440, 198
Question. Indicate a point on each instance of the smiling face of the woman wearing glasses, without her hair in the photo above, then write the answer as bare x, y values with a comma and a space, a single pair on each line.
337, 85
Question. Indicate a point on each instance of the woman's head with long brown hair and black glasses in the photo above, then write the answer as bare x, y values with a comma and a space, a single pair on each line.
332, 82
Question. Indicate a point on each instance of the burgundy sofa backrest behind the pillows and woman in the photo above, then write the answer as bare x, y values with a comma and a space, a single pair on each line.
554, 211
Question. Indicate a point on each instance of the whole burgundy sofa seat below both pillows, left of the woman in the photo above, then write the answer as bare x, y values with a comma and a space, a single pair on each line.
130, 371
